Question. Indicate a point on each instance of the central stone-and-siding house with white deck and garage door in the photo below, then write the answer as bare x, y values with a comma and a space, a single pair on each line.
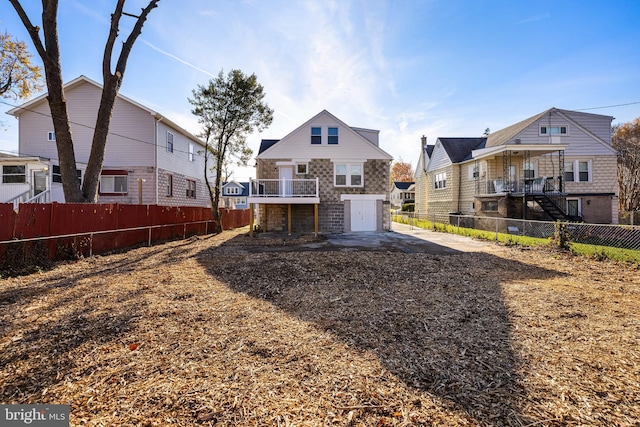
324, 176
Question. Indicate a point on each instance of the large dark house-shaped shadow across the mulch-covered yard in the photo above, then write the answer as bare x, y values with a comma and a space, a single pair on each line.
438, 322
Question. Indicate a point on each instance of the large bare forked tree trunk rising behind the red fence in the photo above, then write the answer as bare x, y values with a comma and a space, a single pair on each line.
49, 51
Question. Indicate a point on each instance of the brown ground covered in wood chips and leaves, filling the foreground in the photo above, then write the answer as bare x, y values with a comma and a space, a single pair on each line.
223, 330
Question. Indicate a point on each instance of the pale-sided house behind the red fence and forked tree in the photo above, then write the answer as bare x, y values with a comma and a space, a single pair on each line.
148, 160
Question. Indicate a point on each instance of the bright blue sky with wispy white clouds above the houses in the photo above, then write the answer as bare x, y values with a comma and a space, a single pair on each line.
440, 68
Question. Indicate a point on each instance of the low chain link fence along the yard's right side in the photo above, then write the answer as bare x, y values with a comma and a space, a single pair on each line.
616, 236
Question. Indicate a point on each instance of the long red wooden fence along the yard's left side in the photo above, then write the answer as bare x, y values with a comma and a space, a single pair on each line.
93, 228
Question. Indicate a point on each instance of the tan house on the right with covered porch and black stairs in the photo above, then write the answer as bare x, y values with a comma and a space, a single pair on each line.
556, 165
